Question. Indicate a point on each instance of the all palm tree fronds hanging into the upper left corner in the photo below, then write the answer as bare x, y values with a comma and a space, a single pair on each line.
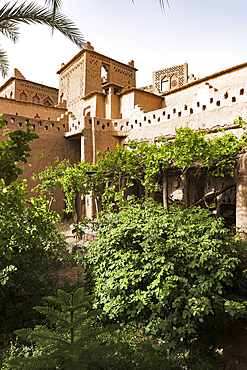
12, 15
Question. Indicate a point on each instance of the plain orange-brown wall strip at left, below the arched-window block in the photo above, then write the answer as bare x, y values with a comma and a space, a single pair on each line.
27, 109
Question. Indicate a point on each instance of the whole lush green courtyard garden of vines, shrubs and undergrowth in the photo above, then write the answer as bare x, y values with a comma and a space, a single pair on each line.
153, 289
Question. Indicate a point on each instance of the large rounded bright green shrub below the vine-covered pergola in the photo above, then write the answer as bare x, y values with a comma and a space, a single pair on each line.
167, 271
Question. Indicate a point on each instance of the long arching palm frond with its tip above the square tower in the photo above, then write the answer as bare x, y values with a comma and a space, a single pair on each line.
32, 13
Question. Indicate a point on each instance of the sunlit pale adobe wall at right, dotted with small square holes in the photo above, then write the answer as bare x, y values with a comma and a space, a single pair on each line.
216, 101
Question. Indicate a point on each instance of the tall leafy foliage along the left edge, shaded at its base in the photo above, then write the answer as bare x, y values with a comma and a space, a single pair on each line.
30, 248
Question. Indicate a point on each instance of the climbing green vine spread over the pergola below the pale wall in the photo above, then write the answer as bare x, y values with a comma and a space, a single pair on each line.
114, 173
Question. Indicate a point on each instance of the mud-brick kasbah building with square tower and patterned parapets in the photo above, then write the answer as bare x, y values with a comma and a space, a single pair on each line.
98, 106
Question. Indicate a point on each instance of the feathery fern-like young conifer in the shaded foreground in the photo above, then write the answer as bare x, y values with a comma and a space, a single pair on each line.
73, 343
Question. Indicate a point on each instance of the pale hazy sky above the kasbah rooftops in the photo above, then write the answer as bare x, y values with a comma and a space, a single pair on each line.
210, 35
